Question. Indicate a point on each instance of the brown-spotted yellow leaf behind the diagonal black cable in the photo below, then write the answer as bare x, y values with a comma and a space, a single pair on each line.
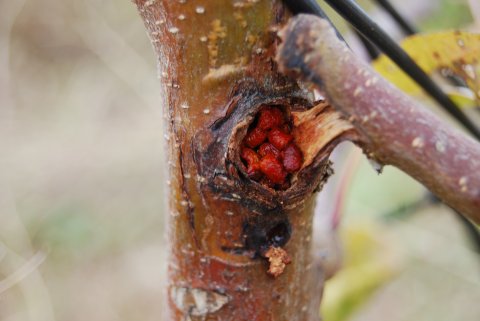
451, 52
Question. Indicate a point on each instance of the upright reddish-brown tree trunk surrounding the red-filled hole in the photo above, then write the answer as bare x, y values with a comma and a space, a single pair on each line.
231, 237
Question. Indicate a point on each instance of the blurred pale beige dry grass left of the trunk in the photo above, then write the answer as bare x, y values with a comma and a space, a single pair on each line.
81, 176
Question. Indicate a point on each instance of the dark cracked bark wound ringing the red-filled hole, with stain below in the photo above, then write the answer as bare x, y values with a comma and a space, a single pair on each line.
317, 129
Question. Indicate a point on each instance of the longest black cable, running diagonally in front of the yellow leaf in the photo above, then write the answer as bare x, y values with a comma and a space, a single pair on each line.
360, 21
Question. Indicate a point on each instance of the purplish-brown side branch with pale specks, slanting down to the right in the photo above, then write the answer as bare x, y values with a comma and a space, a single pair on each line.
393, 129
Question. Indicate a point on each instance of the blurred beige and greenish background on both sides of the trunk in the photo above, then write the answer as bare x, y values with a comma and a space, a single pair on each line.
81, 182
